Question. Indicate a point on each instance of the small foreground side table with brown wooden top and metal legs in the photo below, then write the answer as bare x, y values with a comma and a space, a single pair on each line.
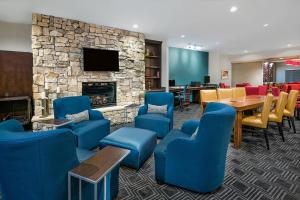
96, 168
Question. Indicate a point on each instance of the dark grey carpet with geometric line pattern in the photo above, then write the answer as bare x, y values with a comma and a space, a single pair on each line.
251, 173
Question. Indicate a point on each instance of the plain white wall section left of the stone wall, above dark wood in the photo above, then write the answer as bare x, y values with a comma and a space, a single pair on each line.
15, 37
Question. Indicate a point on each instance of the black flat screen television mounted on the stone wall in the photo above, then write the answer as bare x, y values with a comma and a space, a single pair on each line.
100, 60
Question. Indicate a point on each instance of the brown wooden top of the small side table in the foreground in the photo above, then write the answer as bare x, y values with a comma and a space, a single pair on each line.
95, 168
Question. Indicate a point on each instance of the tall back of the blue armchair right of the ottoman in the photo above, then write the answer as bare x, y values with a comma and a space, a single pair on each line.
212, 140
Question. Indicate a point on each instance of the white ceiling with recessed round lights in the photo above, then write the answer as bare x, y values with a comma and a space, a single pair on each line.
204, 22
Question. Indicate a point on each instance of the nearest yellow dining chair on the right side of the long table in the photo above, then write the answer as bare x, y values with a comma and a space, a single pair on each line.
261, 121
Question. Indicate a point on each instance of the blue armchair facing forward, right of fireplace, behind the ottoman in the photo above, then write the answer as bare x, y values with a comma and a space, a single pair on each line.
159, 123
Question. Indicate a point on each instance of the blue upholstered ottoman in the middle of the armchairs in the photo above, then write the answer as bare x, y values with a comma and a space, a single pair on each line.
141, 142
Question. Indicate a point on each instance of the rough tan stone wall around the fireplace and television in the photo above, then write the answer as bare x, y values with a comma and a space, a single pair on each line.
57, 58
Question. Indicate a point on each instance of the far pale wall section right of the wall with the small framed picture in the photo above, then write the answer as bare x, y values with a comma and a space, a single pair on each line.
251, 72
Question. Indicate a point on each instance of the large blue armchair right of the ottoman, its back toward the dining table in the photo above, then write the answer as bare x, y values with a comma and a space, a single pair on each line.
196, 162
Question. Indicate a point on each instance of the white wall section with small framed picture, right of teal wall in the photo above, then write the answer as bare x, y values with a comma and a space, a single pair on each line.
218, 62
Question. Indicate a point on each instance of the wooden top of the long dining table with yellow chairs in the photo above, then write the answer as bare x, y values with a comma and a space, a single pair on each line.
244, 103
